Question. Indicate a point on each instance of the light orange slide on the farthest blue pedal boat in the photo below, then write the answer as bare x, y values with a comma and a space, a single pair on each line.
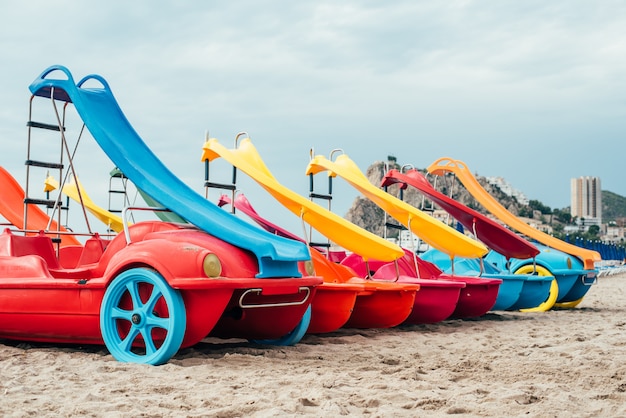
459, 168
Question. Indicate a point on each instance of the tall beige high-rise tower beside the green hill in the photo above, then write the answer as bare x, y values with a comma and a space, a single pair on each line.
586, 200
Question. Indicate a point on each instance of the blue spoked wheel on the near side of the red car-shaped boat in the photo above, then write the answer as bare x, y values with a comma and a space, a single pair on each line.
142, 319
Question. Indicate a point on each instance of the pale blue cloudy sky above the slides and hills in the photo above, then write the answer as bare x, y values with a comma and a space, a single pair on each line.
532, 91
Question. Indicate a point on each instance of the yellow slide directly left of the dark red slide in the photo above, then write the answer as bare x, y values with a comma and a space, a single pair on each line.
432, 231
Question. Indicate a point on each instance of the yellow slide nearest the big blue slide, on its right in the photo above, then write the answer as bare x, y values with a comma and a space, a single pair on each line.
343, 233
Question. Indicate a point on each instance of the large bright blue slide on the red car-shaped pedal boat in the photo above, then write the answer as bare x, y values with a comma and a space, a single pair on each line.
277, 257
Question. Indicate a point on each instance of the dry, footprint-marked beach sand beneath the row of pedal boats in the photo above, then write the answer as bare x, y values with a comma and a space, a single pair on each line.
557, 363
